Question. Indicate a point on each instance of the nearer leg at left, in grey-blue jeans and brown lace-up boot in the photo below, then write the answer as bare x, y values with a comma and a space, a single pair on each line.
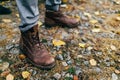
29, 42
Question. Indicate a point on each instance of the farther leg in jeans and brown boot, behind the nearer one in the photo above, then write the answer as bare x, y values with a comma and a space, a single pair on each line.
55, 17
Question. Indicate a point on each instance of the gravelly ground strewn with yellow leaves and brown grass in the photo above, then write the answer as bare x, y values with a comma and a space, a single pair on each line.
89, 52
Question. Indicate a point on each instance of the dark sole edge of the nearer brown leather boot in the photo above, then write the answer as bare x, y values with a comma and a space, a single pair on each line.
48, 67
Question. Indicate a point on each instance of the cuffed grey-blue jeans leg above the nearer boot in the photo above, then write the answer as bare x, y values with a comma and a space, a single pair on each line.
29, 13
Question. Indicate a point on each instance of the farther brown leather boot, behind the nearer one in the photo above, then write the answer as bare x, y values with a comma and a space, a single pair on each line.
57, 18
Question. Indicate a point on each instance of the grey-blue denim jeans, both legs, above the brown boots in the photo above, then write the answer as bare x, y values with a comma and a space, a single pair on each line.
29, 13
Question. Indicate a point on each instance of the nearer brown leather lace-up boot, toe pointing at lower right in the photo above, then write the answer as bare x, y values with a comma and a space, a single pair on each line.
34, 50
